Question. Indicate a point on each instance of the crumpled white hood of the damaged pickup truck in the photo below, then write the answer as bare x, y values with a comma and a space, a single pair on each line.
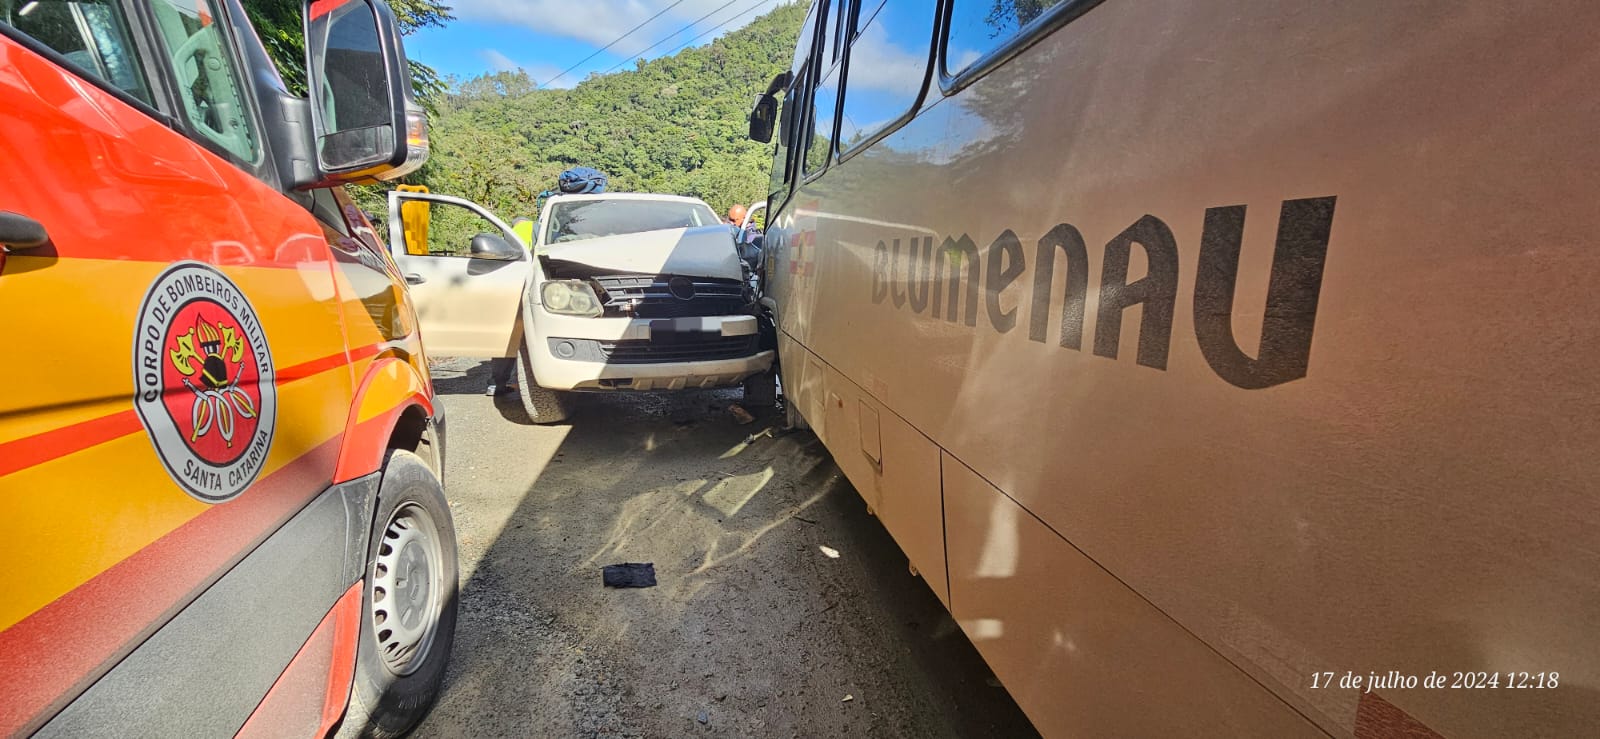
698, 252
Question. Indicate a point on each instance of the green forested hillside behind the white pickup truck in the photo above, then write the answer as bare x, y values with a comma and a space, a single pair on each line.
671, 126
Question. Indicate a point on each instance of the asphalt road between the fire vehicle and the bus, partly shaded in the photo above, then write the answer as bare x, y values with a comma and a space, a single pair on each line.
783, 609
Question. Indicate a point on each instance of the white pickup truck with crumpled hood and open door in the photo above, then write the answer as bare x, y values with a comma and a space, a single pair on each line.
618, 292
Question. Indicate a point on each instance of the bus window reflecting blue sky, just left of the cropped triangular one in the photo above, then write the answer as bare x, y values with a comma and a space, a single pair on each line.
887, 66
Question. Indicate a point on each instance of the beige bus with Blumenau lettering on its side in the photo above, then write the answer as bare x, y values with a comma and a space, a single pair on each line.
1226, 369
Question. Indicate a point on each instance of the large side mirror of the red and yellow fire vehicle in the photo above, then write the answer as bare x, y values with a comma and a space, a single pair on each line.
366, 122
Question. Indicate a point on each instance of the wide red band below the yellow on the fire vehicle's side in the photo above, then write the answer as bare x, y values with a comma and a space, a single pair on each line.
60, 650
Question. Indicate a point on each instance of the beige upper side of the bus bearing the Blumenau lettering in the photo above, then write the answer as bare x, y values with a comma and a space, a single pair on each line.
1422, 497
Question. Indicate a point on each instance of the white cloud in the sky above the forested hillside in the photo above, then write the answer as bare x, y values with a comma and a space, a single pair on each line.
602, 22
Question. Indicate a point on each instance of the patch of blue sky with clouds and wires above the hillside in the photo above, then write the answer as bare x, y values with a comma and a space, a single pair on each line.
545, 38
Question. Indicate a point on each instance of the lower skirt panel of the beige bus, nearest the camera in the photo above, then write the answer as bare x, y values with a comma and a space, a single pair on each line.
1082, 653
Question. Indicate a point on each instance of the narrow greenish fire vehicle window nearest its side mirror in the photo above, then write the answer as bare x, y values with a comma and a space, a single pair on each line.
207, 81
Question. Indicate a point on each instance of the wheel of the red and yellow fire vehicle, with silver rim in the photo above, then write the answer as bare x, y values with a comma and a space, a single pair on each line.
409, 605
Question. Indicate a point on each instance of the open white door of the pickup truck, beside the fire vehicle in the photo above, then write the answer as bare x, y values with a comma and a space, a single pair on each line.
466, 273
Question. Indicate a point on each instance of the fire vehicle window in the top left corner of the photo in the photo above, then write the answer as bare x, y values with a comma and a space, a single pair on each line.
90, 36
